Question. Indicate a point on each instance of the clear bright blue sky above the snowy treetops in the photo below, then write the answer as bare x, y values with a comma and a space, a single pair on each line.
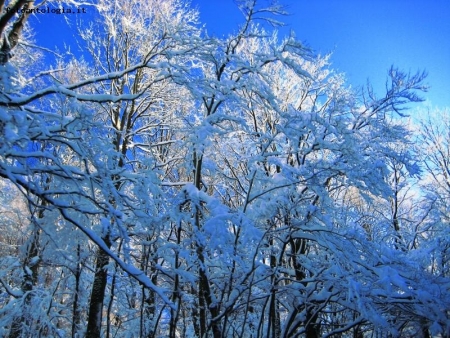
366, 37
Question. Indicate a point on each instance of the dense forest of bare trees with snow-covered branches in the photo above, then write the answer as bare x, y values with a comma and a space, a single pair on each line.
169, 183
